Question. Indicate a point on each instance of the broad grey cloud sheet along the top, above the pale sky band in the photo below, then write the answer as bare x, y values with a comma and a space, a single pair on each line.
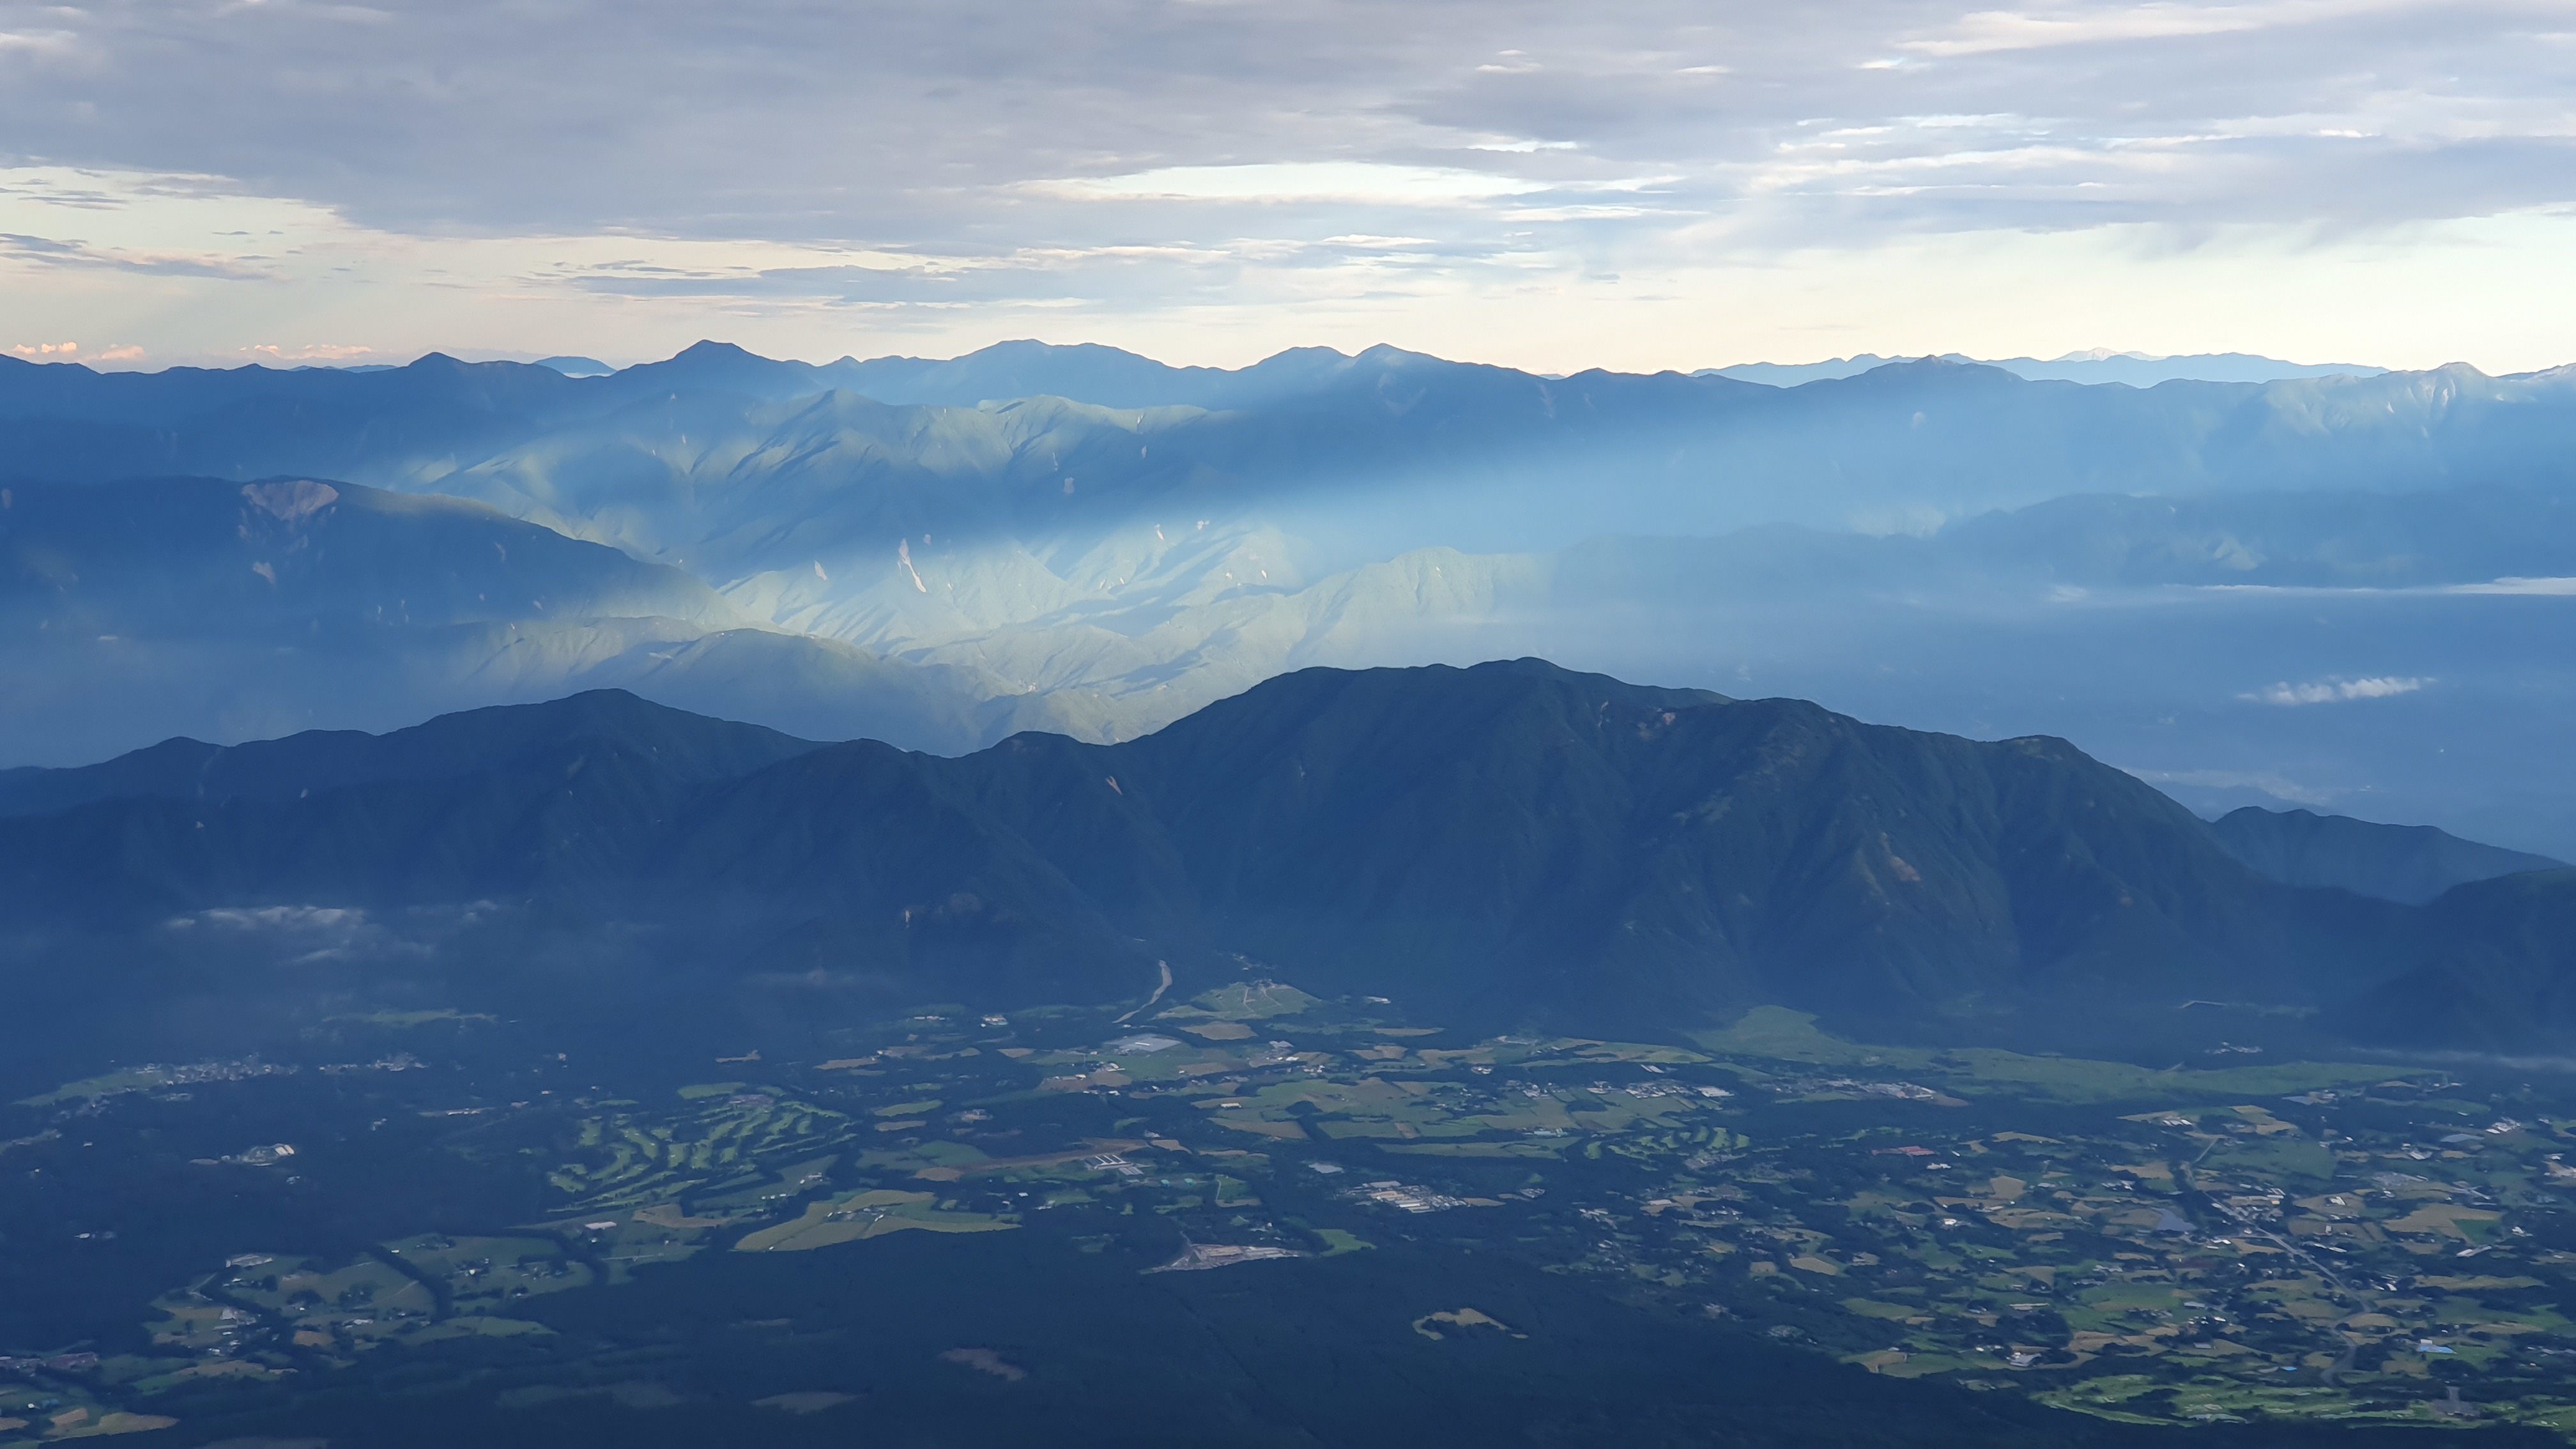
887, 122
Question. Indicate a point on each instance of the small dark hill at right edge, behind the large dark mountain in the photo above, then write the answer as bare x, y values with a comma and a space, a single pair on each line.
2392, 862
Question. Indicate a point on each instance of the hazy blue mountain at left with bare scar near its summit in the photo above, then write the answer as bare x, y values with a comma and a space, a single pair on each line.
225, 610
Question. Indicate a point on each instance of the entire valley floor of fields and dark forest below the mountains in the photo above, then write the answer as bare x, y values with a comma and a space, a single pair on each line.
460, 1211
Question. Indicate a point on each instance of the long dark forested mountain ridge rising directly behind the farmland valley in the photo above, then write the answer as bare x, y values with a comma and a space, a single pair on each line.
1511, 842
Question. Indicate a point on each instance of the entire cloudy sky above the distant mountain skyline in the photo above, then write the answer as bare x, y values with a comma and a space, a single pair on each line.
1209, 182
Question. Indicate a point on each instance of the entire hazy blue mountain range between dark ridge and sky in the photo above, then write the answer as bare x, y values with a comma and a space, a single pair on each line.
2322, 592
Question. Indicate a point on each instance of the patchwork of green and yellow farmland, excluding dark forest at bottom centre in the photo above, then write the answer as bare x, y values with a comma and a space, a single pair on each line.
2214, 1241
